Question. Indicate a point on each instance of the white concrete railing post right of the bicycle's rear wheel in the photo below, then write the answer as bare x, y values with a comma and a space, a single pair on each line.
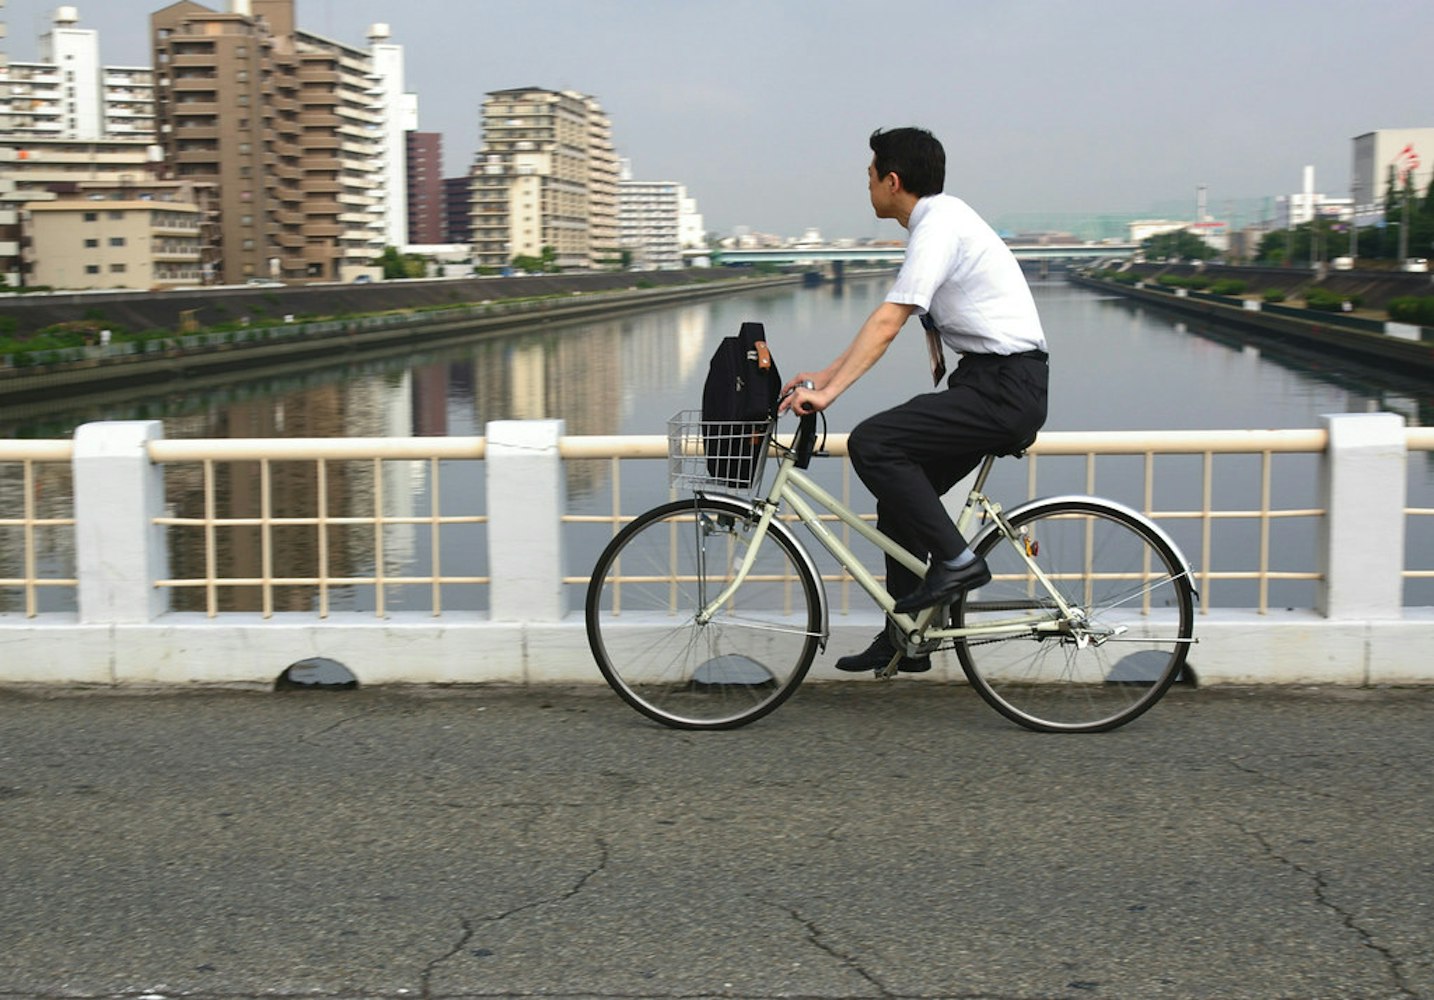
1364, 496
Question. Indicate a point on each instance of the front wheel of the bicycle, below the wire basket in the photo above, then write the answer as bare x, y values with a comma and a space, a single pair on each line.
649, 588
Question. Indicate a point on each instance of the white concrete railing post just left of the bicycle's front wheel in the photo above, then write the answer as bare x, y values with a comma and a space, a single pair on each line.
527, 499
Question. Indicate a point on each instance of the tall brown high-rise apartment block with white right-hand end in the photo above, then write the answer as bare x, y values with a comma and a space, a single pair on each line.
293, 130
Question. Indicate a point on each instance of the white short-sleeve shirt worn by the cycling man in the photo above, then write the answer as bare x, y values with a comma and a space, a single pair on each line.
963, 273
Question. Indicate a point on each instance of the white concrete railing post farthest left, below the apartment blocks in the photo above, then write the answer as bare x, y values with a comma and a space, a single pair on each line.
120, 552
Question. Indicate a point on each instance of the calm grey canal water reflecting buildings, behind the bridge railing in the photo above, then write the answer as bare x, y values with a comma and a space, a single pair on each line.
1115, 367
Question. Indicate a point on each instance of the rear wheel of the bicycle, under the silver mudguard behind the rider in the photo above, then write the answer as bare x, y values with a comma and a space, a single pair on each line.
1119, 651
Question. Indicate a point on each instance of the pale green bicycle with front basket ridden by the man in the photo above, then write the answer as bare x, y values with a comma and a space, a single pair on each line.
708, 612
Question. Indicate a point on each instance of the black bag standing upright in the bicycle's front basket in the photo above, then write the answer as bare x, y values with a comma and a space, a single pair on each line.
739, 400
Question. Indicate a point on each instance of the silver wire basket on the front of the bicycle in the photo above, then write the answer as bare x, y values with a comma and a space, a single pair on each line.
719, 456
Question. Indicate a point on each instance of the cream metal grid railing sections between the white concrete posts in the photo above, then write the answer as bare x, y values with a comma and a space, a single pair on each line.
382, 478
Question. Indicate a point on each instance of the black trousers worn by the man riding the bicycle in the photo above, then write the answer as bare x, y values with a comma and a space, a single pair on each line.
913, 454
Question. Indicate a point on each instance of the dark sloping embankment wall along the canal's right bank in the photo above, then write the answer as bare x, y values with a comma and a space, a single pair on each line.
1373, 342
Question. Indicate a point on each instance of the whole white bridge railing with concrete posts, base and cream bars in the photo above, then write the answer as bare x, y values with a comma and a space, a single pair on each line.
128, 559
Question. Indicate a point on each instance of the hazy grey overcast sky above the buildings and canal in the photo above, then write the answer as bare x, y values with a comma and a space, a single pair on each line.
762, 108
